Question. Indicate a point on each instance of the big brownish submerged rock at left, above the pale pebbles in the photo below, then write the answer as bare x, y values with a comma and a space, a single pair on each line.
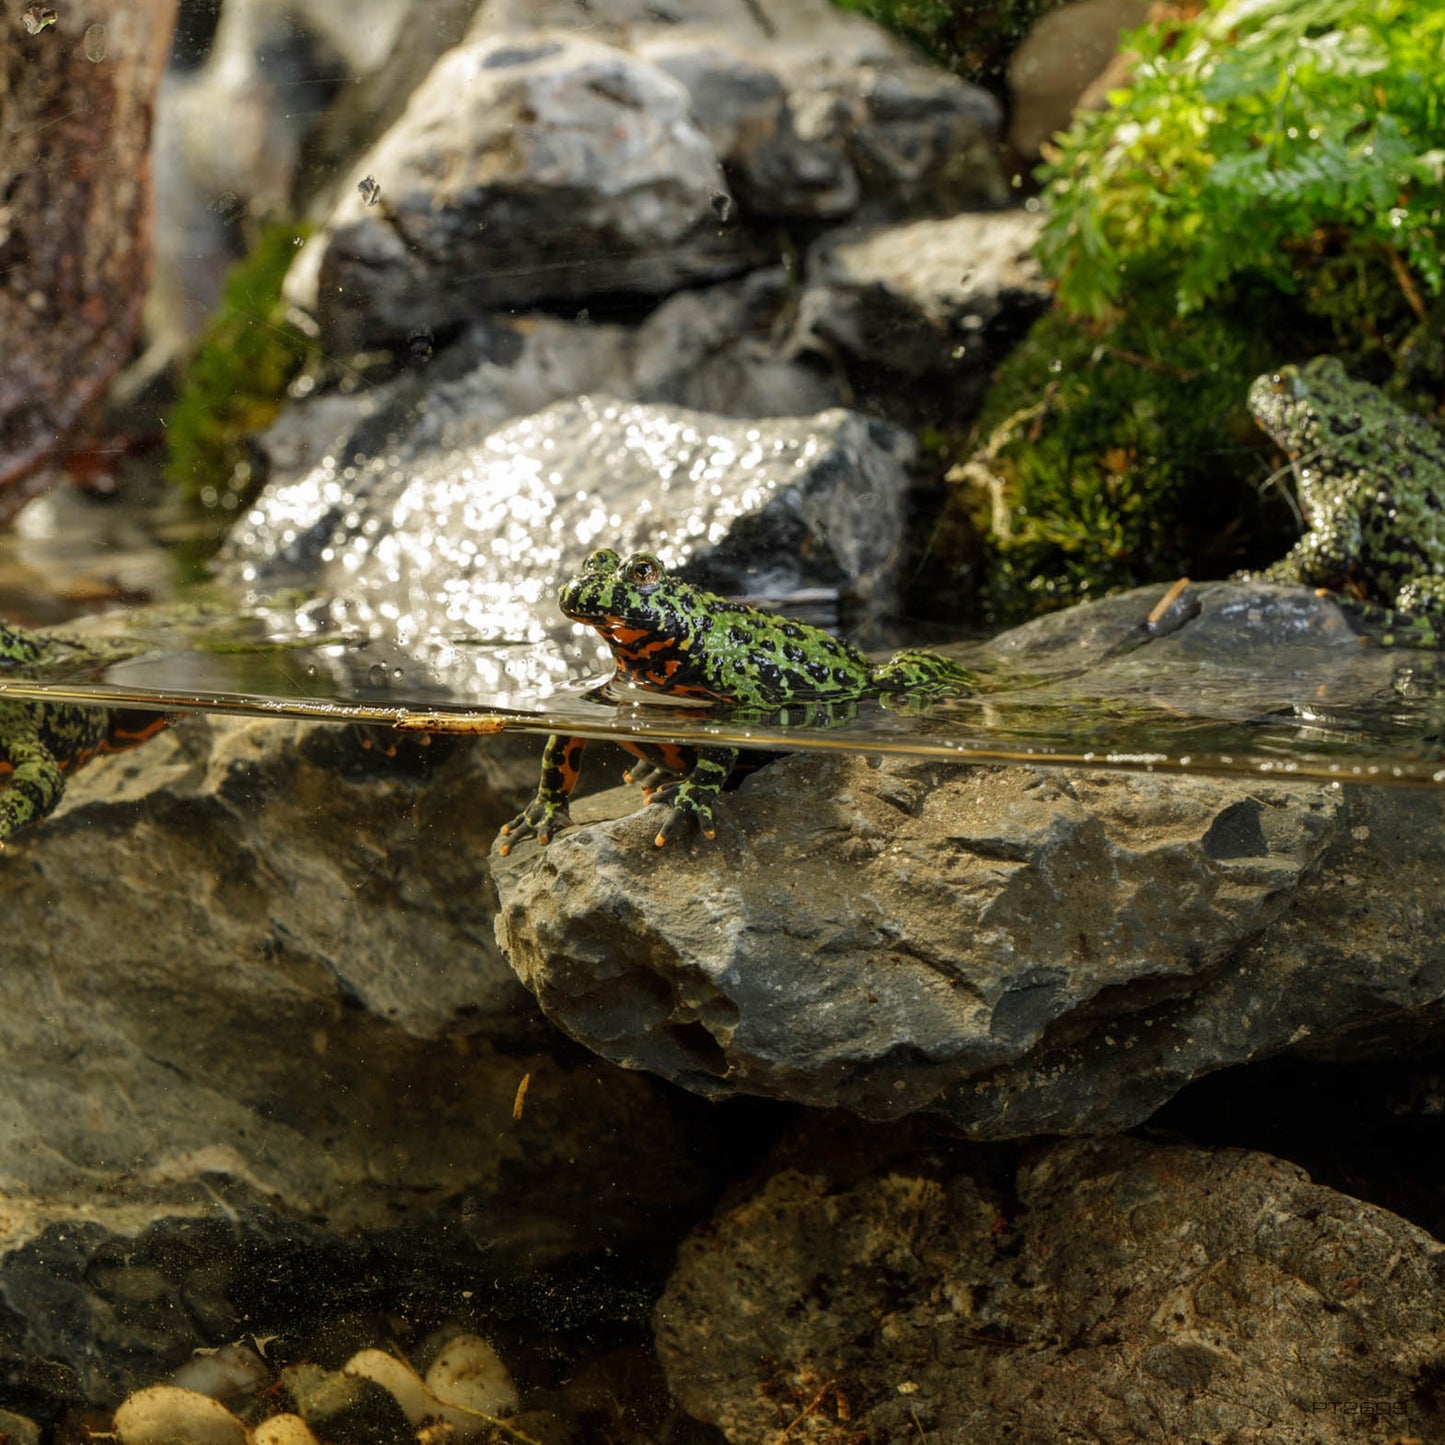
252, 1028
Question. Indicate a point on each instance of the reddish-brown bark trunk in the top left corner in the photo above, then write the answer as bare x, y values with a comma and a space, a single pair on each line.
77, 100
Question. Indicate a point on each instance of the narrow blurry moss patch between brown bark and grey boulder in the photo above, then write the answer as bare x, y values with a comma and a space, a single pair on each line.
246, 358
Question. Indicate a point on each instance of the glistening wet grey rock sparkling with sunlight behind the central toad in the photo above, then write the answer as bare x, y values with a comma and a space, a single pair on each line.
433, 548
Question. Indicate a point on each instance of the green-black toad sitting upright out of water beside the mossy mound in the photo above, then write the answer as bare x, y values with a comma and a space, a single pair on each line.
1372, 486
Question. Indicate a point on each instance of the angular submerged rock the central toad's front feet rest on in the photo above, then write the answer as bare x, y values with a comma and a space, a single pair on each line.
904, 937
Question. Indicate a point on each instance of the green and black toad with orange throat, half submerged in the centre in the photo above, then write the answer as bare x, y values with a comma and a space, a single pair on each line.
670, 637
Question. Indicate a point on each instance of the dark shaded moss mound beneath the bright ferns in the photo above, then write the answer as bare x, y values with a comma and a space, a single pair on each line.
1112, 457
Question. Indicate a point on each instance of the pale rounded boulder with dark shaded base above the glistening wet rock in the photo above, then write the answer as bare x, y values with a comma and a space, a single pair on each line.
525, 168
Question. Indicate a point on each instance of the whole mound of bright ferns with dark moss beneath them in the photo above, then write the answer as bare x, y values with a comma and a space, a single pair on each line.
1269, 186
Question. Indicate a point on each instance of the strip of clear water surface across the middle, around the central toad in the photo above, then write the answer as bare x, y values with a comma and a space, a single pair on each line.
1271, 710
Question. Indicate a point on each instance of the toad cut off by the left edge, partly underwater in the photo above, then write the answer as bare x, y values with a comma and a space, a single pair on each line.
43, 742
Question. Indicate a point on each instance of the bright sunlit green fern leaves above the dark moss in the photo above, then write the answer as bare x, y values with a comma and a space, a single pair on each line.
1255, 139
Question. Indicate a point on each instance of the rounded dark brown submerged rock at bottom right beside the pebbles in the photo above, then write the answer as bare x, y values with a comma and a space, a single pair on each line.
1115, 1291
